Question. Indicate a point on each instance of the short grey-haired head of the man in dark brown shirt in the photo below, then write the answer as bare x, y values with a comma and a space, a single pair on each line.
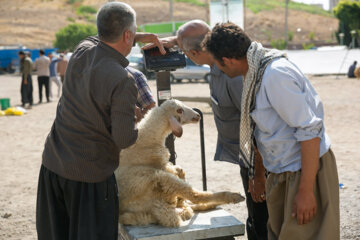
116, 24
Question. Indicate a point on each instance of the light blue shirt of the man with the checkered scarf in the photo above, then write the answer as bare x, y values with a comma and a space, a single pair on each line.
288, 111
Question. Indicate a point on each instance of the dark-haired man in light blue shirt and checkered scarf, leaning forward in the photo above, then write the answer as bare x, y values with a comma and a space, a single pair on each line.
282, 115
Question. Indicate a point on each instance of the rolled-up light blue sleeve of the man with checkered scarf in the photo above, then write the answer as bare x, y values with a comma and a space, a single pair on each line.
290, 100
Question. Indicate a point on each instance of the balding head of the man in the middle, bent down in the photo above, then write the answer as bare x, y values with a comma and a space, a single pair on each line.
189, 37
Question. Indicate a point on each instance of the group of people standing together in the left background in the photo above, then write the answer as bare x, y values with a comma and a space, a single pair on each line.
48, 69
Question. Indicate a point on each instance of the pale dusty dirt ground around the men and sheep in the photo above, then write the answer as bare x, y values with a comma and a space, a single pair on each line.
22, 140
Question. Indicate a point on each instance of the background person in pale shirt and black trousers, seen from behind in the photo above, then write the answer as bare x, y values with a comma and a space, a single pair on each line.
42, 68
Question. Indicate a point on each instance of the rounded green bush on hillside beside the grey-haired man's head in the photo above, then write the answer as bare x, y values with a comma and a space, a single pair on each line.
68, 37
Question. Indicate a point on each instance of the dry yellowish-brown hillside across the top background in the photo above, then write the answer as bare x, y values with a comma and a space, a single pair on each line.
33, 23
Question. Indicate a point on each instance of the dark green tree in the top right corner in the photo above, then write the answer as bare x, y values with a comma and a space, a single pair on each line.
348, 13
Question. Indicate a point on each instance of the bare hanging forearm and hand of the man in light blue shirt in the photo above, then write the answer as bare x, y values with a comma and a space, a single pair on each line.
304, 207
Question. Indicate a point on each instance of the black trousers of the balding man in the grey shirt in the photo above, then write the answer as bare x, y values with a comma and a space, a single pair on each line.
256, 223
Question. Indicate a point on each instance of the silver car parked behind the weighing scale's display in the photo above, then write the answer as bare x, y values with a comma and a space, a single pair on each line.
191, 72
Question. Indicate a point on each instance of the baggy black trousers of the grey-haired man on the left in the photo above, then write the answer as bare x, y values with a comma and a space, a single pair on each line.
71, 210
